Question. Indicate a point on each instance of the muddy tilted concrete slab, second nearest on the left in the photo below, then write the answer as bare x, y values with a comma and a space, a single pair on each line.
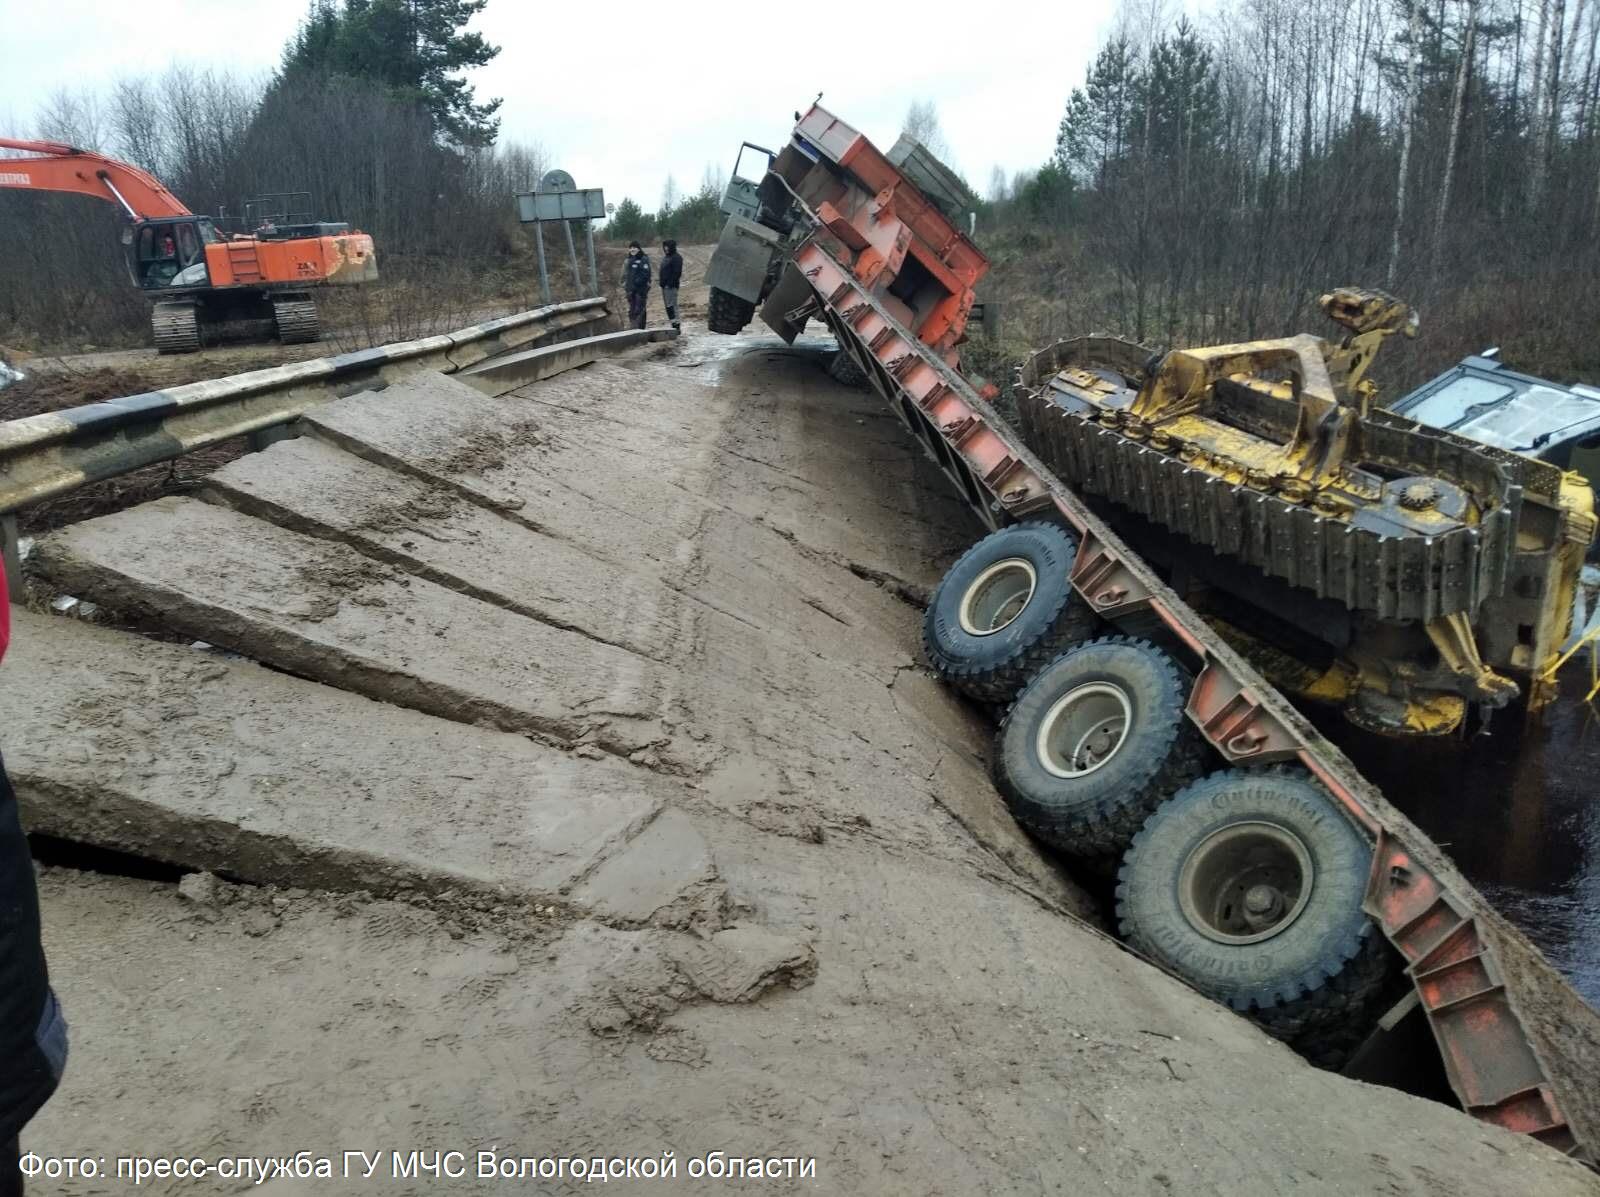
322, 611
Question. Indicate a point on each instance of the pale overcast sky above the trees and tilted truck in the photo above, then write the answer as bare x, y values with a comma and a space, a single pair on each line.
625, 94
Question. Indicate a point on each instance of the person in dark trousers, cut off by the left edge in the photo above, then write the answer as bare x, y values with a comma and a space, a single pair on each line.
33, 1031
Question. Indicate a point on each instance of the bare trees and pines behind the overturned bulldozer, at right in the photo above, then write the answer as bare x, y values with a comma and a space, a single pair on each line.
1210, 178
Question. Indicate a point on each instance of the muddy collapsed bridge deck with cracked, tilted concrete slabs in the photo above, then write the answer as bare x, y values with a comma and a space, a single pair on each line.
582, 793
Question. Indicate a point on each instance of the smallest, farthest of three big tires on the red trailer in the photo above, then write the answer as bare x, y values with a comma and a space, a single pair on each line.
1004, 611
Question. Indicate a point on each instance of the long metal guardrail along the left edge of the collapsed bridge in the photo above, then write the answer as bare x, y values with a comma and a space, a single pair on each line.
58, 452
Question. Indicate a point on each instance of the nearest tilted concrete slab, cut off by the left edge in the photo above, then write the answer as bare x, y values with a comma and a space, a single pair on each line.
156, 750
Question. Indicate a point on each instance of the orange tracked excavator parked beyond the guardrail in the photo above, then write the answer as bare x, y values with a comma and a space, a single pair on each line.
201, 278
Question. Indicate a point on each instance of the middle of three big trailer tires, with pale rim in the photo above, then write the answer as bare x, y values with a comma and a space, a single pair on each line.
1095, 743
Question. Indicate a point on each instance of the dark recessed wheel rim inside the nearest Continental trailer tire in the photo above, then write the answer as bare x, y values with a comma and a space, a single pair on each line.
1246, 883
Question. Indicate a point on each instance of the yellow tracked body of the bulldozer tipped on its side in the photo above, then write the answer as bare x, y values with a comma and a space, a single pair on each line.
1361, 558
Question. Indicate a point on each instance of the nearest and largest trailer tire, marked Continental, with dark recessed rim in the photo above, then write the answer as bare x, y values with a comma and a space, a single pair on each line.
1250, 886
